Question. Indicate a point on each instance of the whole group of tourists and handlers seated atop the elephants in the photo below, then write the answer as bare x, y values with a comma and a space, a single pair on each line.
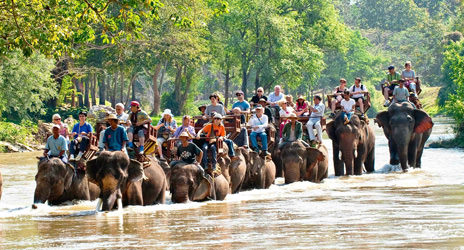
255, 116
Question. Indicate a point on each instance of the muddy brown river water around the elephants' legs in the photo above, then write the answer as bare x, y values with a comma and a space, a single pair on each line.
388, 209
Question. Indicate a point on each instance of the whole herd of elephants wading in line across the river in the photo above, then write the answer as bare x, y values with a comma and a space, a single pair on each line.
117, 180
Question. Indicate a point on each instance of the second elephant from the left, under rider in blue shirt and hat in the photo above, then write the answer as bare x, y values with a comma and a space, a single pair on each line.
126, 181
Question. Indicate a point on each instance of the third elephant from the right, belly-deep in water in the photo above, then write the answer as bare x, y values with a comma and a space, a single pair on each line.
301, 163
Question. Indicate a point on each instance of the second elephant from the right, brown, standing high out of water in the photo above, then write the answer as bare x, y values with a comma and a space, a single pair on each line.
356, 142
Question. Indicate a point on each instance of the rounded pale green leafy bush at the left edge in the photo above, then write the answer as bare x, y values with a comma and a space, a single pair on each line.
25, 84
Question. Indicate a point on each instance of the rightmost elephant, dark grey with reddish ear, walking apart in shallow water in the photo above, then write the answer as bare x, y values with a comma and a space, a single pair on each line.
407, 129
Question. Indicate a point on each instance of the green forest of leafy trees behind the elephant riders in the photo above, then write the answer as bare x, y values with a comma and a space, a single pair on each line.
68, 55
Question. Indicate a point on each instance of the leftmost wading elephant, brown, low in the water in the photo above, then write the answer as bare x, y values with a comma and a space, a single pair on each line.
57, 182
